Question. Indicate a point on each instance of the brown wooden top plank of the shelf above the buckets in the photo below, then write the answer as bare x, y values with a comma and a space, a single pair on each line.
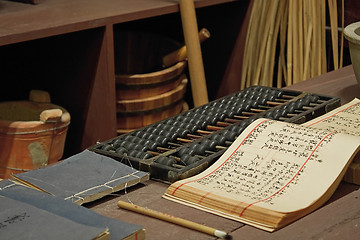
23, 22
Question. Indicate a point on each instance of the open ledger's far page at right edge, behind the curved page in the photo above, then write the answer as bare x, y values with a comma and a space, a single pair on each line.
345, 119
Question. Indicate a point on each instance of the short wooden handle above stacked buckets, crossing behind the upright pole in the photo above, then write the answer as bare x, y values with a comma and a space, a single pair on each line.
181, 53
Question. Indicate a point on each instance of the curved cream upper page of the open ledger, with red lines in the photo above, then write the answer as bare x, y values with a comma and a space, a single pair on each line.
276, 165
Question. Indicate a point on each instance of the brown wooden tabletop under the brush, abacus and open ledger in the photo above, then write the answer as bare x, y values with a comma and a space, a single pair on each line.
339, 218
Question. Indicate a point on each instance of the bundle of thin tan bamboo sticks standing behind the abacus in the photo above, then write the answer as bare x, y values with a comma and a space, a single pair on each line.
294, 33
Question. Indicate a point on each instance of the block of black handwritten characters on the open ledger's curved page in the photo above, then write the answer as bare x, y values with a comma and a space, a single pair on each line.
268, 162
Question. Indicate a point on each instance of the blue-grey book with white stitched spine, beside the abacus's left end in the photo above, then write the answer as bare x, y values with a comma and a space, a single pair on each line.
82, 178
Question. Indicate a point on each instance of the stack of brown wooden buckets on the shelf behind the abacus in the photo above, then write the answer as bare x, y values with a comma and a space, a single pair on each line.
146, 92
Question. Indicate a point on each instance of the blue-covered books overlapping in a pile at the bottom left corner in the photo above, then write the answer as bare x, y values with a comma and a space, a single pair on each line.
26, 213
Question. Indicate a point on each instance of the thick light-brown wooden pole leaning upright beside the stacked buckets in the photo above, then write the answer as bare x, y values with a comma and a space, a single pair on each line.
195, 62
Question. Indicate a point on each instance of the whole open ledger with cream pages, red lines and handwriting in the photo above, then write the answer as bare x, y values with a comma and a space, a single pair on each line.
276, 172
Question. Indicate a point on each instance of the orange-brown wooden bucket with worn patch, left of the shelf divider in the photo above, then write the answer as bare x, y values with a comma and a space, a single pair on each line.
32, 135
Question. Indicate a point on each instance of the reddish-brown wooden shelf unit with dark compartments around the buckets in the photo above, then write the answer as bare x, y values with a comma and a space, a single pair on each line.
67, 48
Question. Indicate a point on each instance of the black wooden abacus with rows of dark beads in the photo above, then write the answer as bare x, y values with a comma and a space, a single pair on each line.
186, 144
